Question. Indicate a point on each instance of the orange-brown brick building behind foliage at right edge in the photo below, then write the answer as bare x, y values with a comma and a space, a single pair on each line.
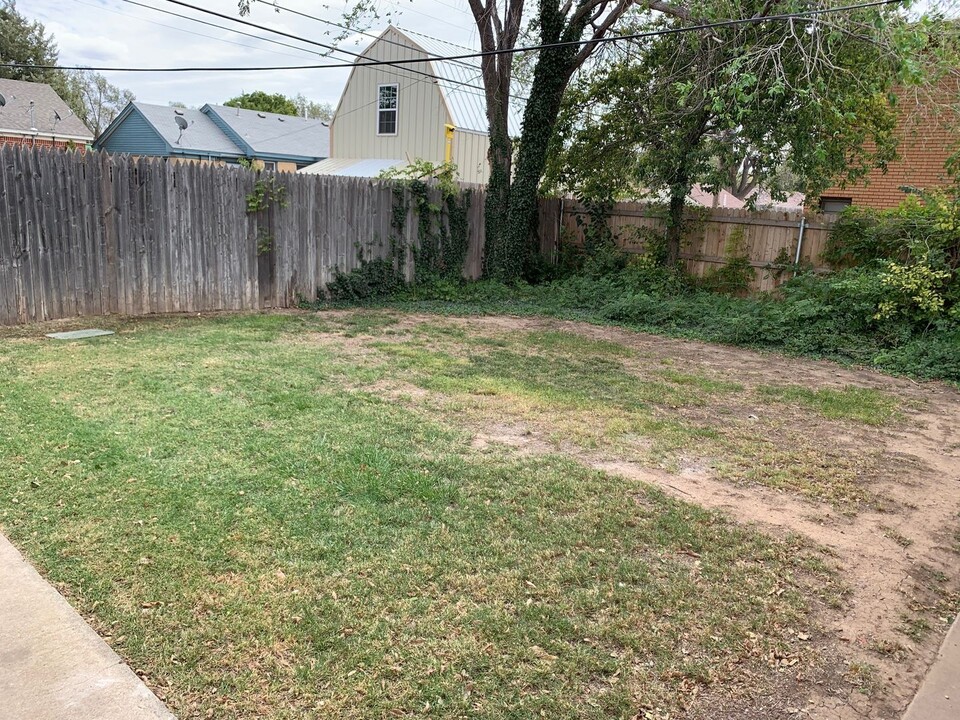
928, 135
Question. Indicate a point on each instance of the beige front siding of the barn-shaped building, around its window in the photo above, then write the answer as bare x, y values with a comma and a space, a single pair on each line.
421, 110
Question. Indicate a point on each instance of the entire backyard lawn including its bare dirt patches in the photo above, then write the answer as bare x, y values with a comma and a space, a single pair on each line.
374, 514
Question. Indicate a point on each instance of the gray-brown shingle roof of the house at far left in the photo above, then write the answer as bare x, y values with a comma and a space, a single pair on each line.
16, 114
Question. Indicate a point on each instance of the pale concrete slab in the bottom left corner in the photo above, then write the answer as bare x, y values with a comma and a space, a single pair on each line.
53, 666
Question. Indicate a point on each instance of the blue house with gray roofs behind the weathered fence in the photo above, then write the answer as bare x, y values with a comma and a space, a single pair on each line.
217, 133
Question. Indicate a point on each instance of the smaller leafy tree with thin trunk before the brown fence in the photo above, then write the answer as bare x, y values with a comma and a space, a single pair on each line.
731, 109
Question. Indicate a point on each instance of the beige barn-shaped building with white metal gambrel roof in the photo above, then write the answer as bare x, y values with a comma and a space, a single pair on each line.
390, 115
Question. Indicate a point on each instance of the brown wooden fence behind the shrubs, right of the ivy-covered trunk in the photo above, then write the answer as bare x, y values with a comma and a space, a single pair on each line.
711, 236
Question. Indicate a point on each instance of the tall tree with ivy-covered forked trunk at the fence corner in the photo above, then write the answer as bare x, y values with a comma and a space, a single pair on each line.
571, 30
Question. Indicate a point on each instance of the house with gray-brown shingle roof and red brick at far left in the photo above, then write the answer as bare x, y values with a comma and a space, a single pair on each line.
33, 114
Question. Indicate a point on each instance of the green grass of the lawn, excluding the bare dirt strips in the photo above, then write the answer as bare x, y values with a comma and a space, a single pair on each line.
265, 533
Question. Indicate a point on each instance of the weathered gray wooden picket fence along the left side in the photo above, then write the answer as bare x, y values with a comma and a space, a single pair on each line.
94, 234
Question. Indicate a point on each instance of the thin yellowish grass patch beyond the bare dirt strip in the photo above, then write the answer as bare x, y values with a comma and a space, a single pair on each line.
603, 397
